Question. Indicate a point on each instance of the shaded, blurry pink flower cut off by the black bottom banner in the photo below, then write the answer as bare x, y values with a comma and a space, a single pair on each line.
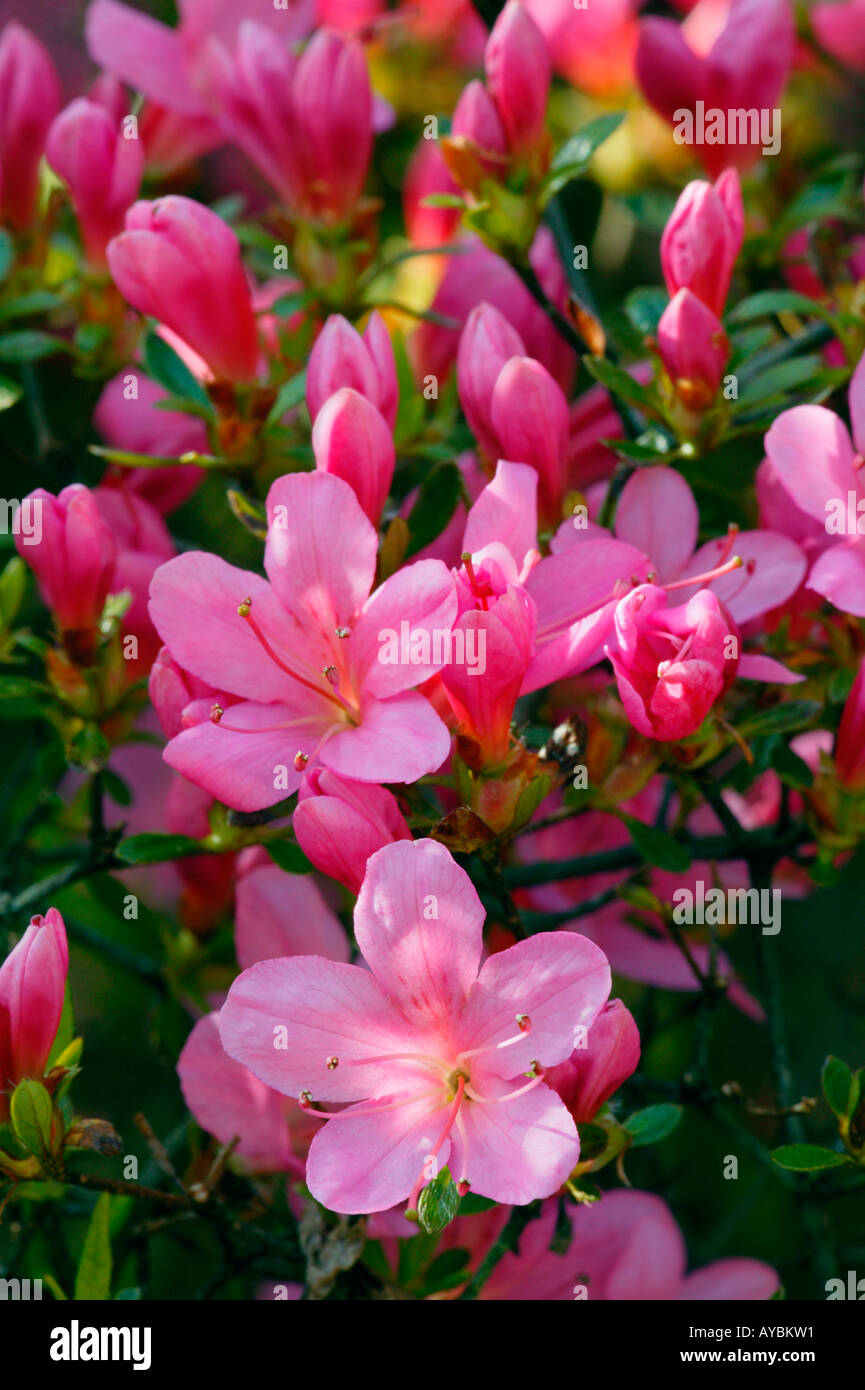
626, 1248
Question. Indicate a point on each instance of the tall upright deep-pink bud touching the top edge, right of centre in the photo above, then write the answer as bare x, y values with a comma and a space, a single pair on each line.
517, 63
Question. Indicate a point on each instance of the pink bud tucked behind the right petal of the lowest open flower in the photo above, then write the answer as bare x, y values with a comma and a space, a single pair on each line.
596, 1071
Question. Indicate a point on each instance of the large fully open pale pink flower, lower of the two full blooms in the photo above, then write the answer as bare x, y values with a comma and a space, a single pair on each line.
430, 1054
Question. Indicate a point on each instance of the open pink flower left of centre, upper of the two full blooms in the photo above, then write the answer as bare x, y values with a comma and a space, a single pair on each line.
301, 653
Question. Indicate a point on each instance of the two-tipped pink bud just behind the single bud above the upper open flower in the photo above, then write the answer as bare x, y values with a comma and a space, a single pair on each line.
344, 358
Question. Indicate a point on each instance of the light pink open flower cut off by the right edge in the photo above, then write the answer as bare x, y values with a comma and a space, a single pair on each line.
820, 466
